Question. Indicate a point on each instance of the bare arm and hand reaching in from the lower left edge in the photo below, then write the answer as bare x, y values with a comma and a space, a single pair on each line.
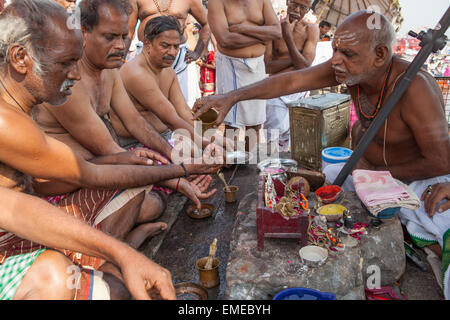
34, 219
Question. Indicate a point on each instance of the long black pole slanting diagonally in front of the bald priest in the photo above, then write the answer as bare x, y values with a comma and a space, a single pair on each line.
432, 41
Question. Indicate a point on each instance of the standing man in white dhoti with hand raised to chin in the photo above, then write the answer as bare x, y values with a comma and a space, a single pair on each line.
296, 50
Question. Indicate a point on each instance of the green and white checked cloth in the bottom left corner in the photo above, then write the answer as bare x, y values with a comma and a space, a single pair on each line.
12, 272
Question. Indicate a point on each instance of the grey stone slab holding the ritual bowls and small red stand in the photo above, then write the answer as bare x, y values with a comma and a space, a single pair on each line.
253, 274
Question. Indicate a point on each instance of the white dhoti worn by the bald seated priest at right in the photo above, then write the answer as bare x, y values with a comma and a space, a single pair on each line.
422, 229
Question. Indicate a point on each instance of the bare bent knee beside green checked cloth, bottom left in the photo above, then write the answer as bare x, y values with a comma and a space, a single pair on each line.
48, 278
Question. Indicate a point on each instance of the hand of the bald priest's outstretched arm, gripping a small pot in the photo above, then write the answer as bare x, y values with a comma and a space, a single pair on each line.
222, 103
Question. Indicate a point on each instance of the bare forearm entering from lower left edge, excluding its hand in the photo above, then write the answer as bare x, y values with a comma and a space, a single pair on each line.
32, 218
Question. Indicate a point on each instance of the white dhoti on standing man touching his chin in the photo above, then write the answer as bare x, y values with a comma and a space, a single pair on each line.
277, 118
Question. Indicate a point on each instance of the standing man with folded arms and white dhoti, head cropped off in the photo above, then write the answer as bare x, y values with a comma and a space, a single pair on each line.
242, 33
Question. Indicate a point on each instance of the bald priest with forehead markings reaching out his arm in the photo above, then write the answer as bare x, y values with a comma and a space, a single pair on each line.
413, 144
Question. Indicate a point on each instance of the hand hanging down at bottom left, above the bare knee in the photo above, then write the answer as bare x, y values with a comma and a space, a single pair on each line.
142, 275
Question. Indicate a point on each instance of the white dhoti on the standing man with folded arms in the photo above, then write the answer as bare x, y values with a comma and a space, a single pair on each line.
233, 73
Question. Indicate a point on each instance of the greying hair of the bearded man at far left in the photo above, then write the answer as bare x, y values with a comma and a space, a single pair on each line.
27, 23
